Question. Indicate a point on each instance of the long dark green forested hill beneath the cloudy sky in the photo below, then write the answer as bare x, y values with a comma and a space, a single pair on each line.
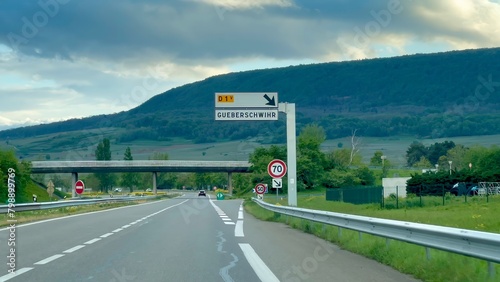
439, 95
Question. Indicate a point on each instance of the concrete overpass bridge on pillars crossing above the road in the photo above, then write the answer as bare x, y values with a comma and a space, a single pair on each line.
153, 166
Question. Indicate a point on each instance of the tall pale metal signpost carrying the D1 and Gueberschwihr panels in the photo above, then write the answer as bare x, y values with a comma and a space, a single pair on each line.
263, 106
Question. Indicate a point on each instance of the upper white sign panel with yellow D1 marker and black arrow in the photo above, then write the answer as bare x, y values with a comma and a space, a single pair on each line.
246, 100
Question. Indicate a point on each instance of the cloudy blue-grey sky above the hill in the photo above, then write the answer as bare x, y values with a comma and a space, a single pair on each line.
61, 59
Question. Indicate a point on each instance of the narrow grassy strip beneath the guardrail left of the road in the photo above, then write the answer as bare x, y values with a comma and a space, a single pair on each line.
37, 215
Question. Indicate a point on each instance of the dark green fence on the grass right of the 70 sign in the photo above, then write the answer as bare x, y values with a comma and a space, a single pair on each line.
356, 195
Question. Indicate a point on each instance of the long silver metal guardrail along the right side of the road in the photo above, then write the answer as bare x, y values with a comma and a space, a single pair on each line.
477, 244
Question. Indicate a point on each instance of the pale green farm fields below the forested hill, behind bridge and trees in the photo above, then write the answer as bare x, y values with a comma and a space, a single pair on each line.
80, 145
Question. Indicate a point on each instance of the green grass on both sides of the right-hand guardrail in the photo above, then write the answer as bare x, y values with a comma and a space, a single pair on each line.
405, 257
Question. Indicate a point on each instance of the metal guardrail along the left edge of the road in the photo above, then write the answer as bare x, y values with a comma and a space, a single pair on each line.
67, 203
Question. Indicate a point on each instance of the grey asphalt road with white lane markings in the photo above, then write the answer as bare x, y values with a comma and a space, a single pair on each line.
182, 239
